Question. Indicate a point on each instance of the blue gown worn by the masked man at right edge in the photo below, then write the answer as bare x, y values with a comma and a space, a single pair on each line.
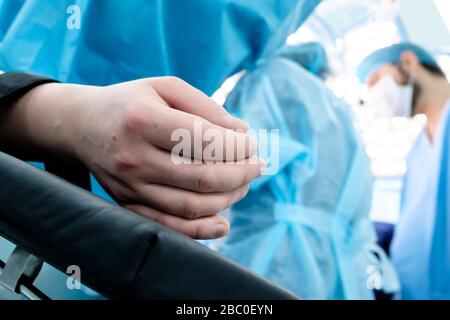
414, 245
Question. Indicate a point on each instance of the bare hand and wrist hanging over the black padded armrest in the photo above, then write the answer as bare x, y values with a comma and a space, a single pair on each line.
122, 133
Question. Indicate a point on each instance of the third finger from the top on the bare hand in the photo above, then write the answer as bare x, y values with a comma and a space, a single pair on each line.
204, 178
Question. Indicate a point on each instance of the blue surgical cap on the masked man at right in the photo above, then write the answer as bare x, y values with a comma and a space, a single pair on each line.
391, 55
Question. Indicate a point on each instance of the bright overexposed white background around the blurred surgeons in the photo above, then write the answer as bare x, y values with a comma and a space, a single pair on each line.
350, 30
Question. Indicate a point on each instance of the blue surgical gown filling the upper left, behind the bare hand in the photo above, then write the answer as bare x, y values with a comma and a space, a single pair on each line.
200, 41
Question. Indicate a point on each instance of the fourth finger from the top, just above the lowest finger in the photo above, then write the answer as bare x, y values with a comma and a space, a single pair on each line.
187, 204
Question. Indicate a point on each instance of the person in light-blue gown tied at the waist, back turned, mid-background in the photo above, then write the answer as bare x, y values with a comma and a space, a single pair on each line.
307, 227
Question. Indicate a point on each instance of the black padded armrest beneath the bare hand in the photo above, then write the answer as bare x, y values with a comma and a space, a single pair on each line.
120, 254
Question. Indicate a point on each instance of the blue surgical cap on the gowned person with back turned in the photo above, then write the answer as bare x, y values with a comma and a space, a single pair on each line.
311, 56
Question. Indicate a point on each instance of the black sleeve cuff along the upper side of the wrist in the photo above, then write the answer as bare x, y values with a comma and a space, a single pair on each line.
15, 84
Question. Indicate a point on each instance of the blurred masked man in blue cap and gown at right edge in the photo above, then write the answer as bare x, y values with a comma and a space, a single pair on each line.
406, 81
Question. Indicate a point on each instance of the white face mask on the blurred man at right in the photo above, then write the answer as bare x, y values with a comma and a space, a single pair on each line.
391, 99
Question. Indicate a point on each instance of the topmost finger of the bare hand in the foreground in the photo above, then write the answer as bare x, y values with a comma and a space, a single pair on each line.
180, 95
